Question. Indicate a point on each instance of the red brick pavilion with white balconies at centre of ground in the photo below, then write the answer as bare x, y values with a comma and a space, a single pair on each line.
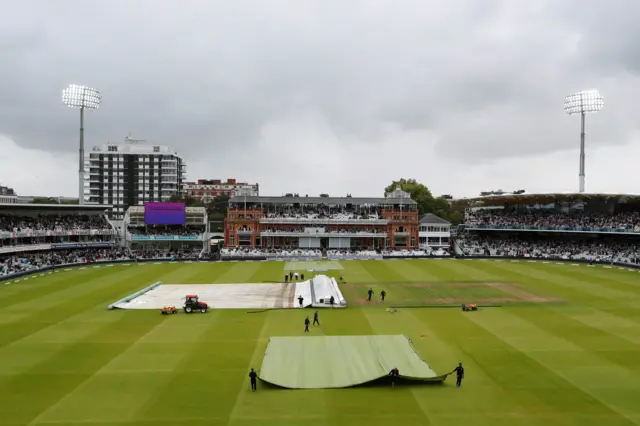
323, 222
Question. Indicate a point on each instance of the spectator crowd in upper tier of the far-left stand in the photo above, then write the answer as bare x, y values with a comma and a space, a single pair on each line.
52, 222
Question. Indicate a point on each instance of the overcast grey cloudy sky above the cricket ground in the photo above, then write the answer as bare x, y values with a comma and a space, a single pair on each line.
327, 96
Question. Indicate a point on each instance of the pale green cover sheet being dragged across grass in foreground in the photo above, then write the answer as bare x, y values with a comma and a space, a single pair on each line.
327, 362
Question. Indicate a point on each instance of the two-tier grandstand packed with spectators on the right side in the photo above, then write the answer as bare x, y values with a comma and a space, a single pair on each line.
593, 228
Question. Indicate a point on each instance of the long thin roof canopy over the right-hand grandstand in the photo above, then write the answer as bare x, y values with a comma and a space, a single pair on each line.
528, 199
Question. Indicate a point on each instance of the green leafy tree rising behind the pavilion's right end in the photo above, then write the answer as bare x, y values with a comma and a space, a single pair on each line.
427, 203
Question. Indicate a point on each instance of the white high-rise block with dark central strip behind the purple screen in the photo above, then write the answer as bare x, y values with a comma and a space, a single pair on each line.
132, 173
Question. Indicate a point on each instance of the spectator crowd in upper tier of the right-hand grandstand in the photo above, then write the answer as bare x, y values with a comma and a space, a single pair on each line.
549, 219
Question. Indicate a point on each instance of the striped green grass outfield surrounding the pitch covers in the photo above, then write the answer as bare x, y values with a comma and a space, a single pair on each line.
563, 350
